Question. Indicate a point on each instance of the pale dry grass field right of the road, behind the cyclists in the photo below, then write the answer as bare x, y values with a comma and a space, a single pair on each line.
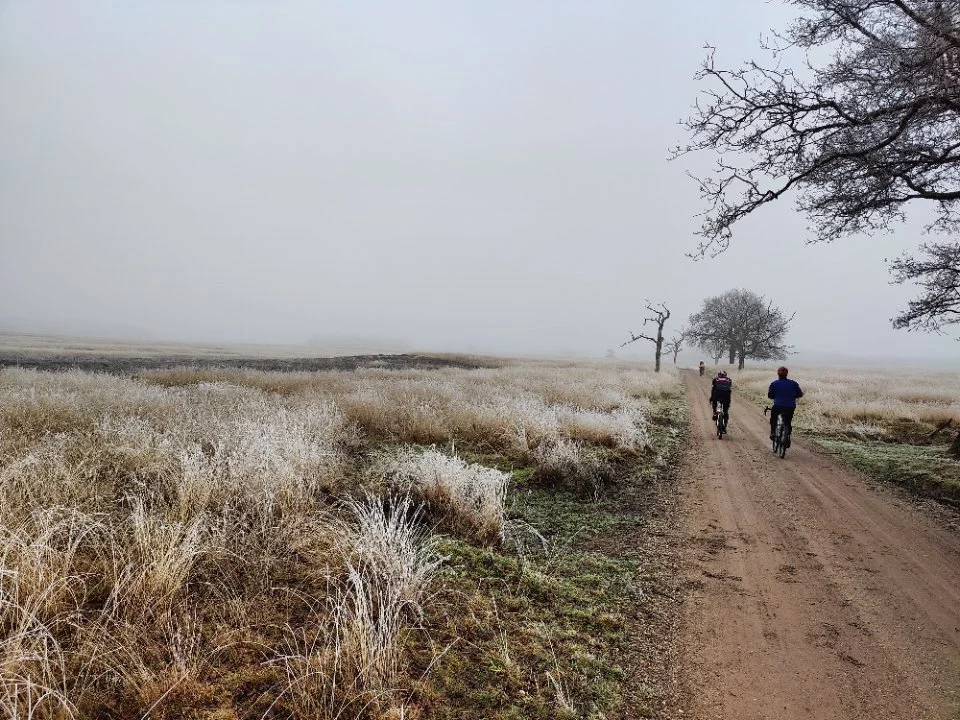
867, 402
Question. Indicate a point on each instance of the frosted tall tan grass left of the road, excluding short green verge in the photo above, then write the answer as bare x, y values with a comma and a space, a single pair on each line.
265, 544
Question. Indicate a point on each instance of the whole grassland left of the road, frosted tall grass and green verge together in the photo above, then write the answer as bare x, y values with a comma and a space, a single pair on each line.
379, 544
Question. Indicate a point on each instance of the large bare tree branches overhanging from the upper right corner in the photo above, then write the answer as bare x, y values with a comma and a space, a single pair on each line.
865, 125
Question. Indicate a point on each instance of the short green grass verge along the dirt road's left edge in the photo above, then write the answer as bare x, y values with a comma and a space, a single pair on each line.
575, 619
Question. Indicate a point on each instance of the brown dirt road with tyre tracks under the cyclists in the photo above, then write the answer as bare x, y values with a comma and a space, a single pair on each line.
816, 595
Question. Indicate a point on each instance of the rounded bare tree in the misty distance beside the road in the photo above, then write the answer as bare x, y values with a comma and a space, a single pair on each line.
743, 324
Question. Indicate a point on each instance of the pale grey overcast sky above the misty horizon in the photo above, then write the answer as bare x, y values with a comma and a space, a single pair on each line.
454, 175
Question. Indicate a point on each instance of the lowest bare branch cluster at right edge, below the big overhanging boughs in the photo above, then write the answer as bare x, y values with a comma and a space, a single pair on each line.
938, 273
